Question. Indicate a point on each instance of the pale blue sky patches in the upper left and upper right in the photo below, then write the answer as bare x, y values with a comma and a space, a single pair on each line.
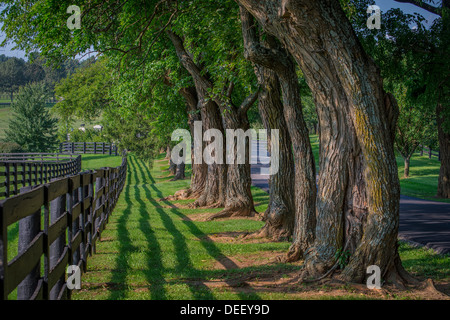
384, 5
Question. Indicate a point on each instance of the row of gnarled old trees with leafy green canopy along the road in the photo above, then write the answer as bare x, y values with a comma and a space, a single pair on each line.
218, 58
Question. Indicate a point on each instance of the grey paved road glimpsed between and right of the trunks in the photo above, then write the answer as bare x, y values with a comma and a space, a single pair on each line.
421, 221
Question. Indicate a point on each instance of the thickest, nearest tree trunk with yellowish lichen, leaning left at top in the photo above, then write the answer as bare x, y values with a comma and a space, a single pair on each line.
358, 185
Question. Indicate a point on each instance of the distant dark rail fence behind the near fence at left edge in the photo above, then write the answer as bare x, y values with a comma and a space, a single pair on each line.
30, 169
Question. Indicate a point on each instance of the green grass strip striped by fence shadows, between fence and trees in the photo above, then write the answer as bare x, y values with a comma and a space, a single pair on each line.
162, 250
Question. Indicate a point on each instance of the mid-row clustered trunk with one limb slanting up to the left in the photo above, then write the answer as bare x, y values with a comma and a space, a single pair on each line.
226, 185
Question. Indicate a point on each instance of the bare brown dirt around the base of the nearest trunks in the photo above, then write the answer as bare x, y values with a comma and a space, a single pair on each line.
283, 279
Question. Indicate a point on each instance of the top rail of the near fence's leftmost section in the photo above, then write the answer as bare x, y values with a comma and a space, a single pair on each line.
23, 205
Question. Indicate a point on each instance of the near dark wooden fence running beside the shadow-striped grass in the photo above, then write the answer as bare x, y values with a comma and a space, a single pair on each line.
62, 221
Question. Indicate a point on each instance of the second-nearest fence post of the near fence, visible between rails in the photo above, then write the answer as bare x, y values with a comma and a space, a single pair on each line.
57, 208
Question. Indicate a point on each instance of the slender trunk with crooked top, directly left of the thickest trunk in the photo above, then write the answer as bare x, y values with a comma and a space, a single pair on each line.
272, 56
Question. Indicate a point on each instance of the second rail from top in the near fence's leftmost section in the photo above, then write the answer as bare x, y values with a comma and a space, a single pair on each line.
22, 264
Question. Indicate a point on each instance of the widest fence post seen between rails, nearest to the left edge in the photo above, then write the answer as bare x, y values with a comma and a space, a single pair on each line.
29, 227
